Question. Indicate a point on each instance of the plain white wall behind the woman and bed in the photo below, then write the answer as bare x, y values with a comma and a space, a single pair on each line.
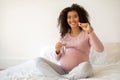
27, 25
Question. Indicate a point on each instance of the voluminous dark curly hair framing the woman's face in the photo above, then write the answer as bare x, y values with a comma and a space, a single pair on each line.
62, 19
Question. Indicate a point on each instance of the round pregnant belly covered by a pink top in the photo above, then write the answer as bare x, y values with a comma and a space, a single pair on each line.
72, 58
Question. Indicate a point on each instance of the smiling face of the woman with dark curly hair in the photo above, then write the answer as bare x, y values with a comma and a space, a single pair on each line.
73, 19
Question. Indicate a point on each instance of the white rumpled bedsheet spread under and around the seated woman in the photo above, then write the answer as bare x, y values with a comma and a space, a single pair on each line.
29, 71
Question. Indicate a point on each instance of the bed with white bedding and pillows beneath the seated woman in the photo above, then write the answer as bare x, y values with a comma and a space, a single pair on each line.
106, 65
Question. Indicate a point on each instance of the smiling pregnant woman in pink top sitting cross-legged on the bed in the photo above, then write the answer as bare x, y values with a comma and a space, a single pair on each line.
72, 51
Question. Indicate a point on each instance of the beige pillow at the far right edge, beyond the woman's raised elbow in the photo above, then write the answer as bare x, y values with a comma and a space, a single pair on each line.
112, 52
